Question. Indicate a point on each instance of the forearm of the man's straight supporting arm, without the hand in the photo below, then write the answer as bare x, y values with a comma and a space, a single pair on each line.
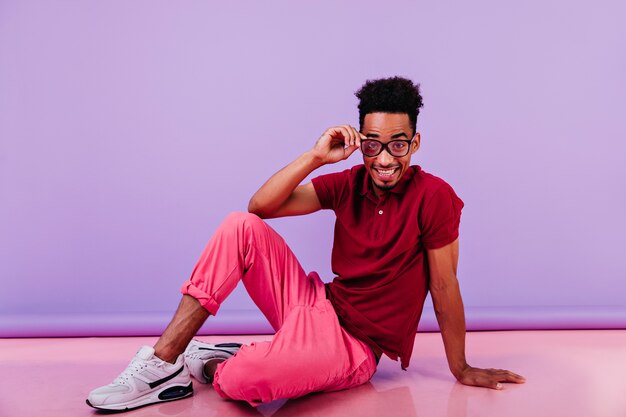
451, 318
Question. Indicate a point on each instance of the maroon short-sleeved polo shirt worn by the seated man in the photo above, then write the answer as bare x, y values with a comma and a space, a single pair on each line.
379, 253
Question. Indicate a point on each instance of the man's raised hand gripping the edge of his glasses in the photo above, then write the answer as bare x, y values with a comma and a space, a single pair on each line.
336, 144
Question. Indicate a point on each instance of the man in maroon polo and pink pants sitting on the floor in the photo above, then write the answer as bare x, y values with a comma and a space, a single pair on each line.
396, 238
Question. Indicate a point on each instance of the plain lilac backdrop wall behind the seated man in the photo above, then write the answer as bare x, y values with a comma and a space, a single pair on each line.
128, 130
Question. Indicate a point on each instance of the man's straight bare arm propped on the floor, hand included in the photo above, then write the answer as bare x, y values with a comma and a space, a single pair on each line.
444, 289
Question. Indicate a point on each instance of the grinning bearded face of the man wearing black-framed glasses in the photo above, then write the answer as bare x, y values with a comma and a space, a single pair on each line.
384, 168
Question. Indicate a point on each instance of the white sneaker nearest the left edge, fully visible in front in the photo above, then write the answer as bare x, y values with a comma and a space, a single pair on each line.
146, 380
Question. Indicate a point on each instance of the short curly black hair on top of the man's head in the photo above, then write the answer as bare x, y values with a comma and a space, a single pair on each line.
390, 95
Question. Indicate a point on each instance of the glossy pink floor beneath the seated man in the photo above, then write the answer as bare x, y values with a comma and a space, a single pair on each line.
569, 373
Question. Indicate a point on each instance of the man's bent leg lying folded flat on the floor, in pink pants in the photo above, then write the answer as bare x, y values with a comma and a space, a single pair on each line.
310, 353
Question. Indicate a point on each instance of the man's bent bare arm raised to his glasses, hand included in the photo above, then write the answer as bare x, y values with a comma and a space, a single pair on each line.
282, 195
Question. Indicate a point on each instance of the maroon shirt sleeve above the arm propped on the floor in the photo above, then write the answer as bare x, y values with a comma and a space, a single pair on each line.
440, 218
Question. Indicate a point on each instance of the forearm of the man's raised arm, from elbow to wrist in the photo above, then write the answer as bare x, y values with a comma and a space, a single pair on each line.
279, 187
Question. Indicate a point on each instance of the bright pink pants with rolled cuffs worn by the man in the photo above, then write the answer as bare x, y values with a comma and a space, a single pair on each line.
310, 351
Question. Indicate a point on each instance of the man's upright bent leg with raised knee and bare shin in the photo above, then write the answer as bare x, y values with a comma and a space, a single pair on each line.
243, 247
